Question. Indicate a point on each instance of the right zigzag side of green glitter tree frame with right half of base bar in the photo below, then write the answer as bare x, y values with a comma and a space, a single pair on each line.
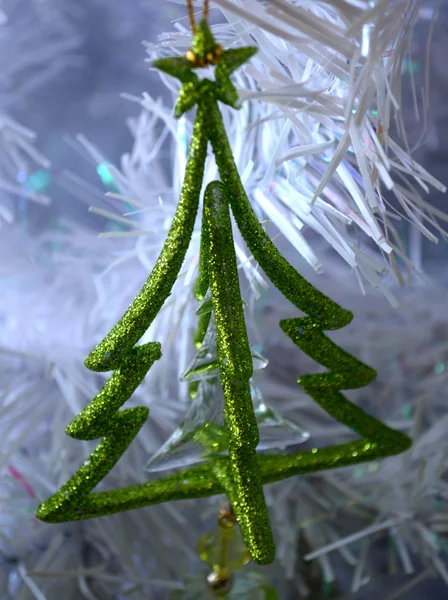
346, 372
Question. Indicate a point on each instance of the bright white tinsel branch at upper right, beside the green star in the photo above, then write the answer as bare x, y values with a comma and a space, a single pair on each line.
327, 88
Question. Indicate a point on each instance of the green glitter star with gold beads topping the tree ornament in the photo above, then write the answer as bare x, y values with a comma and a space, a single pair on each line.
205, 51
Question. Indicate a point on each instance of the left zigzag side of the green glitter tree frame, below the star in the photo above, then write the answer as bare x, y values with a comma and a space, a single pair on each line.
100, 418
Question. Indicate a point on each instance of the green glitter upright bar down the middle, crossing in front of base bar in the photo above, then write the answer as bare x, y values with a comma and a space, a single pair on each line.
242, 481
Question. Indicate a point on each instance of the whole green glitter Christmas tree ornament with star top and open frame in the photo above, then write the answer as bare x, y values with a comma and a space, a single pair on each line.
242, 473
